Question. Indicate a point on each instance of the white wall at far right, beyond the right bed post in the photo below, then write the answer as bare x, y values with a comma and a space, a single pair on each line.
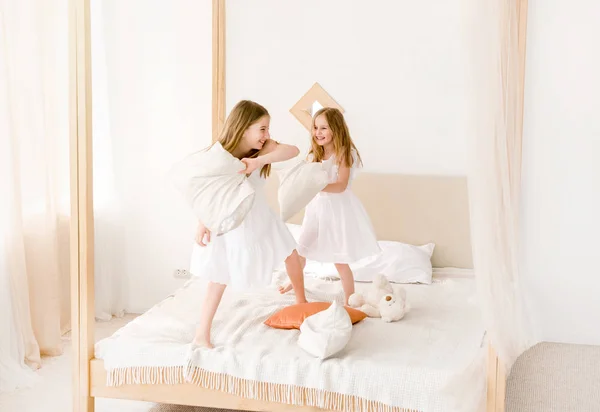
561, 167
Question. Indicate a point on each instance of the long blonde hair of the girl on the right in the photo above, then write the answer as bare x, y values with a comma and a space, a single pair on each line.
342, 142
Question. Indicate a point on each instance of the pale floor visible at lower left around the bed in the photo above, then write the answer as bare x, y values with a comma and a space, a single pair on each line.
53, 392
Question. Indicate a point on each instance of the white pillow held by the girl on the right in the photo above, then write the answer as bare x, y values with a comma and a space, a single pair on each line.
299, 184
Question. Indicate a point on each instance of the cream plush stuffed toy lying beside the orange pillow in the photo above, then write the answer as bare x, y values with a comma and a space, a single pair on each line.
380, 301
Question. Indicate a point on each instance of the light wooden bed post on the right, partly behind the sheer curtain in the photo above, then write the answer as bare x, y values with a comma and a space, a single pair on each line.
496, 394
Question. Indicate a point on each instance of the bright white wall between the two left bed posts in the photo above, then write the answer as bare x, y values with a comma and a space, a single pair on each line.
158, 69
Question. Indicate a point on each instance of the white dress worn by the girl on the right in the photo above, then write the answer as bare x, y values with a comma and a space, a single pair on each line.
336, 227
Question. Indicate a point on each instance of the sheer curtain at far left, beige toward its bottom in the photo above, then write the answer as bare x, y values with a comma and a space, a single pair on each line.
34, 182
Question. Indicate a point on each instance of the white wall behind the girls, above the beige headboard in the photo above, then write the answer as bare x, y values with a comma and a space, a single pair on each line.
397, 68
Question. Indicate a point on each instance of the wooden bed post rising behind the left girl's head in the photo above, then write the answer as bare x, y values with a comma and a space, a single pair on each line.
218, 67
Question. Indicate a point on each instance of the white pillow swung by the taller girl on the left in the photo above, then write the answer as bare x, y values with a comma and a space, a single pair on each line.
211, 184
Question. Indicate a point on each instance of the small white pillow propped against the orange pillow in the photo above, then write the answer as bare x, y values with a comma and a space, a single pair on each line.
326, 333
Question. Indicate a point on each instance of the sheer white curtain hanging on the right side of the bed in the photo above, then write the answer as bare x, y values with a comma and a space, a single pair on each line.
495, 173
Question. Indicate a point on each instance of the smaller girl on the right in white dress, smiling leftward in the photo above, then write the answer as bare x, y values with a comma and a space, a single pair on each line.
336, 228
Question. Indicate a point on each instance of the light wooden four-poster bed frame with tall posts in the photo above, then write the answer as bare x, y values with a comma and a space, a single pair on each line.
89, 374
